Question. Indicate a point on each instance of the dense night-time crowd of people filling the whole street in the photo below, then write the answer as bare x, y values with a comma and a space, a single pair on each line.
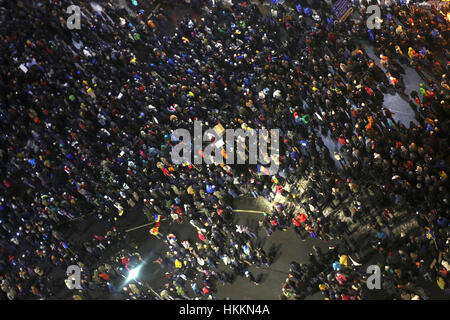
86, 127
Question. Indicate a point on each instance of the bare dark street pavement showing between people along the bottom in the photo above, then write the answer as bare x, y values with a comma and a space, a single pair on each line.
287, 245
